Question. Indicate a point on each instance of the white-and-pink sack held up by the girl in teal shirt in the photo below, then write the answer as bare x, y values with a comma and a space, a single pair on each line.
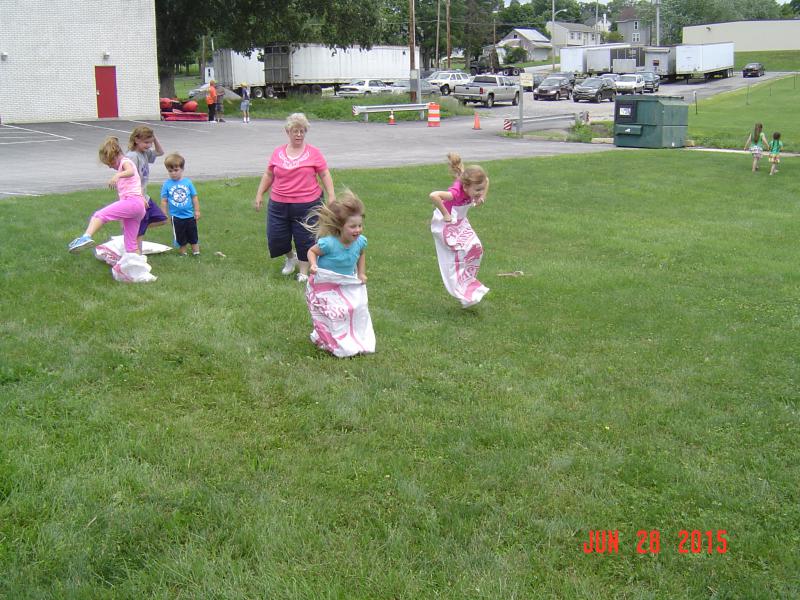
339, 314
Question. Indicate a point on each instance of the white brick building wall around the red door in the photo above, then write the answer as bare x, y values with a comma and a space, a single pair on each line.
48, 52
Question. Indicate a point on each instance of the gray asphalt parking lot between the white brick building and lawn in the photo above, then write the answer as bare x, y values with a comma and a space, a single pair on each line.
47, 158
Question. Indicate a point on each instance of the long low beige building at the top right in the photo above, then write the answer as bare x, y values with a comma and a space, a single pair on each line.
747, 35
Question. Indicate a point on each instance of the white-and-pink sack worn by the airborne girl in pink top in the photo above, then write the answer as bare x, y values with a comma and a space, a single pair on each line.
459, 252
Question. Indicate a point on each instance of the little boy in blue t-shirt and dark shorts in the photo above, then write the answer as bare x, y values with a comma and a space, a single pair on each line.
179, 199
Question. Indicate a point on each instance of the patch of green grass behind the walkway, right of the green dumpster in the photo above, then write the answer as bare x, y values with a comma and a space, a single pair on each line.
724, 121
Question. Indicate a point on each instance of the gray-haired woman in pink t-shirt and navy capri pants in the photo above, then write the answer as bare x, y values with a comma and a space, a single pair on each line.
292, 177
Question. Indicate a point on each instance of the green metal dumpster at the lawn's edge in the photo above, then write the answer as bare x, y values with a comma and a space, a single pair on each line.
650, 121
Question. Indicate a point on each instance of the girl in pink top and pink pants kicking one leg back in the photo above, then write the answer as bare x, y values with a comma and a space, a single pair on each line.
129, 209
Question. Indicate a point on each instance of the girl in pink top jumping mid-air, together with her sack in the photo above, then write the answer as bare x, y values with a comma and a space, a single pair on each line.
458, 249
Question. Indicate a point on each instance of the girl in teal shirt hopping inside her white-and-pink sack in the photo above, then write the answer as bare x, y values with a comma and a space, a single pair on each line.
335, 292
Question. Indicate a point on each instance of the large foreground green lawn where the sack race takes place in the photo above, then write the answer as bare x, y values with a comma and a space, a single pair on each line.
184, 439
